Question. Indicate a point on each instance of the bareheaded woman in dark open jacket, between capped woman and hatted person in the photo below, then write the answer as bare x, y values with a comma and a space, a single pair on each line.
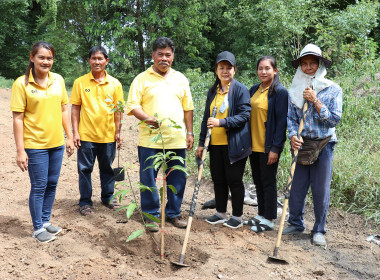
269, 102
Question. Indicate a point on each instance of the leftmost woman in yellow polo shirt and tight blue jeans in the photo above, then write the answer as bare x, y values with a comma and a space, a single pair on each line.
38, 104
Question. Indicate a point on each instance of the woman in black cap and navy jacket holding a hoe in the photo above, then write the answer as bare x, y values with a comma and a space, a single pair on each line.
230, 140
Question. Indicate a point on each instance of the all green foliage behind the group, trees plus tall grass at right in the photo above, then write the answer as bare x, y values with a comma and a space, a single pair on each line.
347, 30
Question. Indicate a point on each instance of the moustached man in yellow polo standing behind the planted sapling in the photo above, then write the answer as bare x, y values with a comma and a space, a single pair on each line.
163, 91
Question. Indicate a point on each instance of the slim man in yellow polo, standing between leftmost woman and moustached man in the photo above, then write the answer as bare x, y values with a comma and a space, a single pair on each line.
96, 130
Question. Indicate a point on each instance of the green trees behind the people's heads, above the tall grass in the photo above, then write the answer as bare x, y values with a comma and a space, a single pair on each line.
345, 29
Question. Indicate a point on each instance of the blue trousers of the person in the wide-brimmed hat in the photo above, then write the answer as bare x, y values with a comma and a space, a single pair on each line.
318, 176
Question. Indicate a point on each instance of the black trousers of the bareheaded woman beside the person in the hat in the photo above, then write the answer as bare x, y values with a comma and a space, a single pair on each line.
264, 177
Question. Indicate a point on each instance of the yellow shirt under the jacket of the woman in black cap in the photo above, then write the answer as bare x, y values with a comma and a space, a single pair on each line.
219, 134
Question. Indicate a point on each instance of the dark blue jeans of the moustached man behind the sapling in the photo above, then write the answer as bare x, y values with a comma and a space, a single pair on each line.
150, 202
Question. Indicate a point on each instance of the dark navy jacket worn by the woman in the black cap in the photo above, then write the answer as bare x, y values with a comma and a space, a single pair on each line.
237, 123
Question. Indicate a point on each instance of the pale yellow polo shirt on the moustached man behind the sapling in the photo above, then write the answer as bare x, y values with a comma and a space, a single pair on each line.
168, 97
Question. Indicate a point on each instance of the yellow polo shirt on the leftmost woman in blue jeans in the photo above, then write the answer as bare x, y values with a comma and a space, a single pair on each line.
42, 109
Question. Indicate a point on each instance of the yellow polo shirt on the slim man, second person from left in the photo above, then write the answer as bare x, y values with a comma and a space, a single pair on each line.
97, 123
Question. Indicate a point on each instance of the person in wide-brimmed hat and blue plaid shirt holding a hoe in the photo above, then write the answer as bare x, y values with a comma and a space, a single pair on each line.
317, 141
